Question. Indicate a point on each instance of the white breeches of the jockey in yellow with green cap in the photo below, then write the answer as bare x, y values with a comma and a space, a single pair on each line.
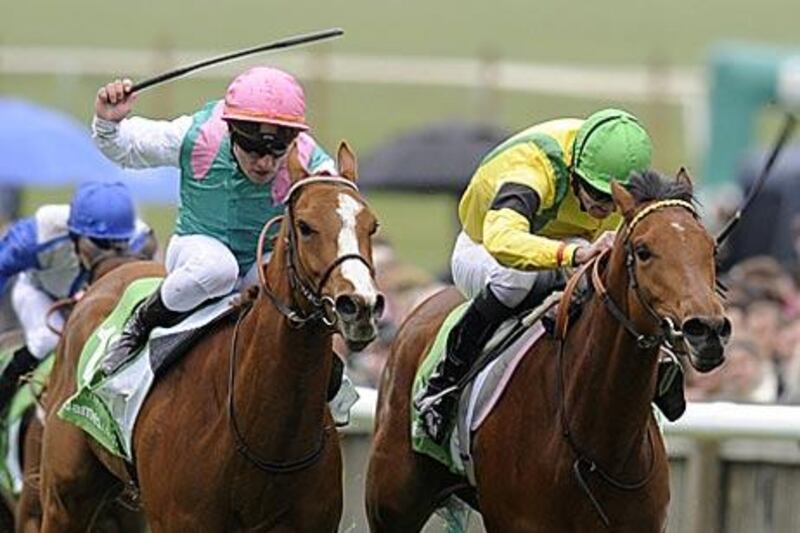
474, 268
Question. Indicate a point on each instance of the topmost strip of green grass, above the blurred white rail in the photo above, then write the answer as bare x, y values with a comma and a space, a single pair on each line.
611, 31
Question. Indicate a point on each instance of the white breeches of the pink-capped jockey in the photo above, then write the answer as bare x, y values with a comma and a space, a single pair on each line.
200, 267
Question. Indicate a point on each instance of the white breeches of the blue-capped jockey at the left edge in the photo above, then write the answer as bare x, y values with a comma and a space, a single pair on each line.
31, 304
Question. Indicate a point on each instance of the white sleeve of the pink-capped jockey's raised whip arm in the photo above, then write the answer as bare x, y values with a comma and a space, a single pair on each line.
138, 142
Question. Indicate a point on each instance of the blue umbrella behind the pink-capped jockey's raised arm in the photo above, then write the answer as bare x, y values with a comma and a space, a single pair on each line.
43, 147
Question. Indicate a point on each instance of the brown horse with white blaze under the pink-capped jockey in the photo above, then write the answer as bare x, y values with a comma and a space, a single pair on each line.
236, 436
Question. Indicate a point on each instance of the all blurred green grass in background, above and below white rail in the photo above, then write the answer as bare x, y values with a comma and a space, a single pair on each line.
609, 32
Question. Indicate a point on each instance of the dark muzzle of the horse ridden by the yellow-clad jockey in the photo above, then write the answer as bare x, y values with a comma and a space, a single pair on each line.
706, 337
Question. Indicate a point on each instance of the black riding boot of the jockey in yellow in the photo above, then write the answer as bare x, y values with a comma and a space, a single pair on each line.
464, 344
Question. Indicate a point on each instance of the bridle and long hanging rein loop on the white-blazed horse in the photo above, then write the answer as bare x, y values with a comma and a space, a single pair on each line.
295, 316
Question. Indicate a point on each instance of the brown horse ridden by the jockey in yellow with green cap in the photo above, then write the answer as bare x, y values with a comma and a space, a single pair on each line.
572, 445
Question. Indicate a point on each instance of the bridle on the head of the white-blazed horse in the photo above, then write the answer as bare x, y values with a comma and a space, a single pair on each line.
322, 306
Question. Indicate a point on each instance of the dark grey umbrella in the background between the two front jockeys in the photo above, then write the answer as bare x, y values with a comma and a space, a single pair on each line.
437, 158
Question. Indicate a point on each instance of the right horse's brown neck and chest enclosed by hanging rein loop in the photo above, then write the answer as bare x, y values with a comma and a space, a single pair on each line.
610, 382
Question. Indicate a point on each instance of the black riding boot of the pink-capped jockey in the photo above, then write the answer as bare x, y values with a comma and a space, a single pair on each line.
152, 313
